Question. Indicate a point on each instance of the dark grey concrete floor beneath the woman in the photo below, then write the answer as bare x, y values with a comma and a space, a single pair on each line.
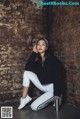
66, 112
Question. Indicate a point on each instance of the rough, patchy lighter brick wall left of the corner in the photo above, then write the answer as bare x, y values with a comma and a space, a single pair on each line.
21, 22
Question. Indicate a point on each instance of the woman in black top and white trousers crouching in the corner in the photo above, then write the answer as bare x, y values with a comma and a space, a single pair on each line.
45, 72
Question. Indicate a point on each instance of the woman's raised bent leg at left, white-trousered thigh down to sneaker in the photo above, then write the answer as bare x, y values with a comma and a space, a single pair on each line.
27, 77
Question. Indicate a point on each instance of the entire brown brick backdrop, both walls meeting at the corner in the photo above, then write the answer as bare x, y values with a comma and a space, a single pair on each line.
21, 23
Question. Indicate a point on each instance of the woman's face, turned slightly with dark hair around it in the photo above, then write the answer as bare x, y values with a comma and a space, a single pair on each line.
41, 46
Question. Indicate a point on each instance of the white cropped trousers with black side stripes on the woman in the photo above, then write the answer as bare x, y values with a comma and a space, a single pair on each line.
45, 98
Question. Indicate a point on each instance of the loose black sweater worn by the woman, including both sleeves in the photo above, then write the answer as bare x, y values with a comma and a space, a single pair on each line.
48, 72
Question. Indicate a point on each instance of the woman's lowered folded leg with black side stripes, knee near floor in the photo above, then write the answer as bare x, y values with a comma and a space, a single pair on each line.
44, 99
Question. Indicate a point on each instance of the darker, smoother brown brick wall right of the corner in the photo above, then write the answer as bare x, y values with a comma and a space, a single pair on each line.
64, 35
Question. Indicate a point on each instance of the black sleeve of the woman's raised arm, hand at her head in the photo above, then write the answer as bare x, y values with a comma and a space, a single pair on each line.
31, 61
